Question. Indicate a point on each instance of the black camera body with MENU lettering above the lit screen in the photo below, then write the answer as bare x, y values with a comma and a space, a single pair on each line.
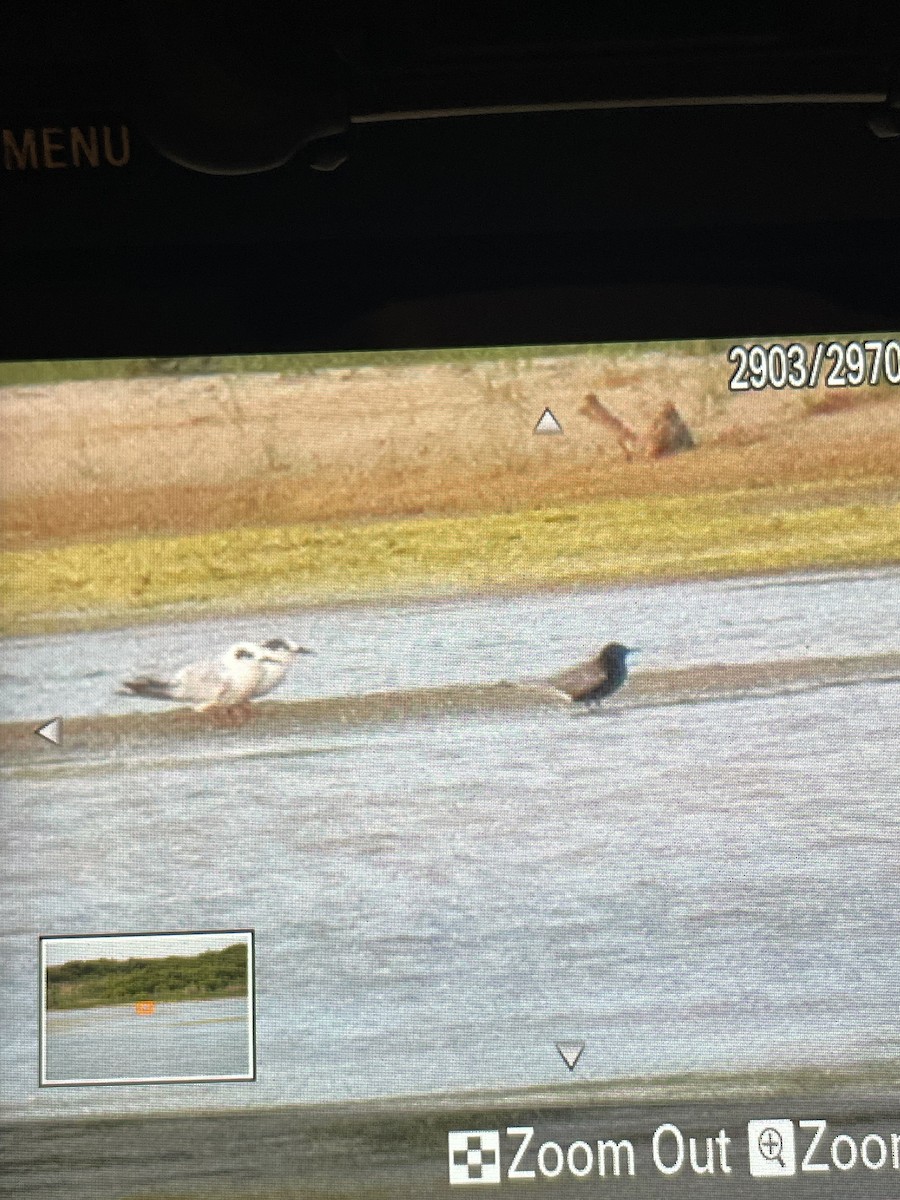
206, 182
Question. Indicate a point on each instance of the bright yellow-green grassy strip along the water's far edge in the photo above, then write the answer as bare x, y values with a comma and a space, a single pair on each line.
89, 585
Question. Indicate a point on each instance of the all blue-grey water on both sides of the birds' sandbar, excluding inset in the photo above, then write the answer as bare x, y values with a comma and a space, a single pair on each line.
693, 887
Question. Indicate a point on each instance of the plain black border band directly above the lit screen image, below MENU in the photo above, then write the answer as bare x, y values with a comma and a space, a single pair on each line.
452, 292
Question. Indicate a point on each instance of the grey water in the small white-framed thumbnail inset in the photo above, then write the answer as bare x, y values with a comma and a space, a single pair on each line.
179, 1041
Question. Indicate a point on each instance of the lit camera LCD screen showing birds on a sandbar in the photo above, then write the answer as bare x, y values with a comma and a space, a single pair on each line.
454, 769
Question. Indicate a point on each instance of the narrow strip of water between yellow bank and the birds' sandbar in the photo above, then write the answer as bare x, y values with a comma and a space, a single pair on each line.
483, 640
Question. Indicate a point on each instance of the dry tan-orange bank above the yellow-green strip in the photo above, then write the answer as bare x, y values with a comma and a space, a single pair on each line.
112, 459
